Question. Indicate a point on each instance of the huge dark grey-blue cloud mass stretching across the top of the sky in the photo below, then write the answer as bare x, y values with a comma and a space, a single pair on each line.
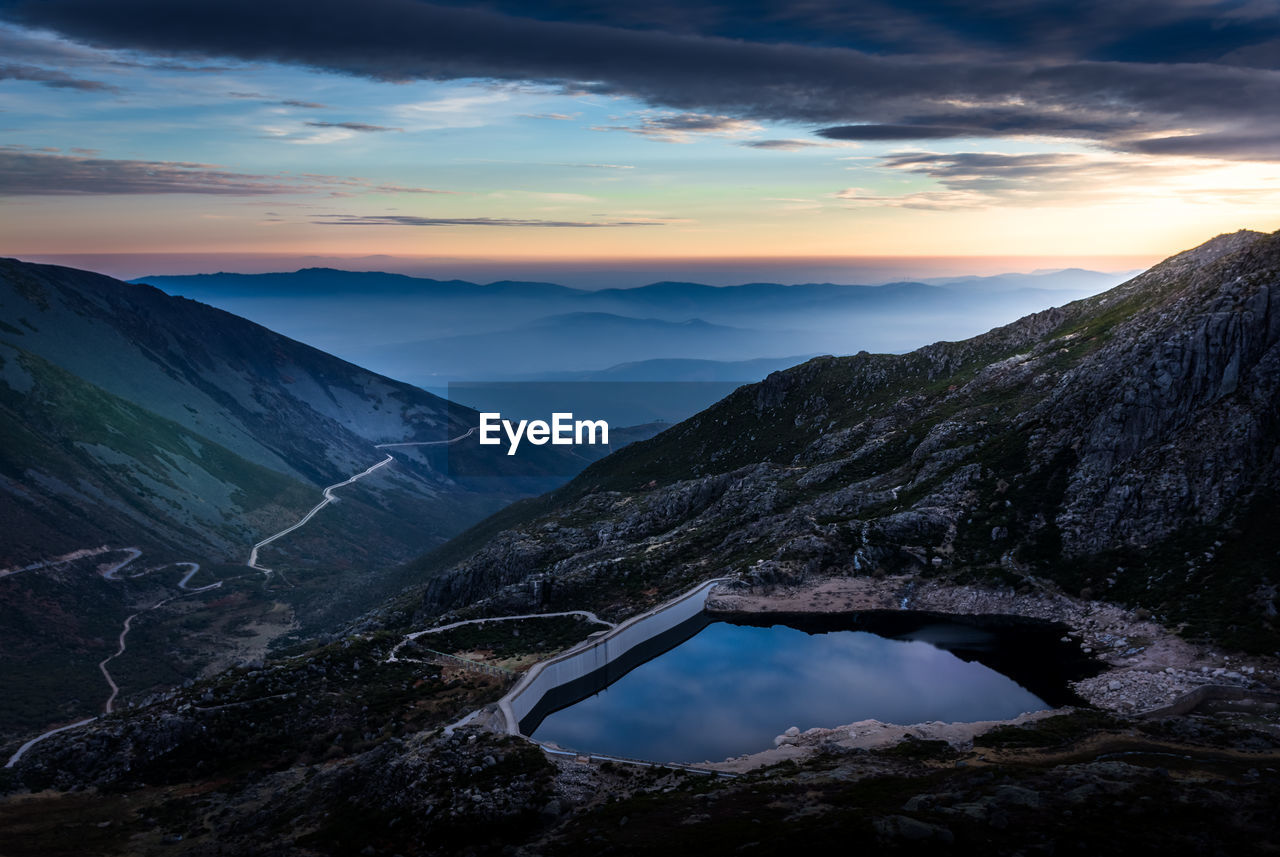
1094, 70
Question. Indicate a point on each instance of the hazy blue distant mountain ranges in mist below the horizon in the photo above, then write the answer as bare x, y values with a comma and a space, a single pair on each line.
435, 332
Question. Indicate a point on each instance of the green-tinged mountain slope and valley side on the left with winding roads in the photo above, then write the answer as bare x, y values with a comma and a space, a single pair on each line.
130, 419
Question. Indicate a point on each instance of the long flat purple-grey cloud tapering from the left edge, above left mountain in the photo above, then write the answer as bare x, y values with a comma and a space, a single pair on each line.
30, 172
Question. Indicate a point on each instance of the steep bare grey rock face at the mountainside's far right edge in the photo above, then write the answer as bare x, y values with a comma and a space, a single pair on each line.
1176, 419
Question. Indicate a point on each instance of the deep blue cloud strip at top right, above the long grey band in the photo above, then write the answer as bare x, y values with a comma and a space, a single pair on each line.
1168, 31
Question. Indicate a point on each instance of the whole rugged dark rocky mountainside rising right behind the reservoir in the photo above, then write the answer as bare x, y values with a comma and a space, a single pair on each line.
1124, 444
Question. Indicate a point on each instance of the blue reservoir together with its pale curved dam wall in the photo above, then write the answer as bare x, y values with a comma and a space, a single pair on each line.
679, 684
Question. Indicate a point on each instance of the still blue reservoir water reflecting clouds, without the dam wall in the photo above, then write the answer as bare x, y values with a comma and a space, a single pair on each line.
730, 689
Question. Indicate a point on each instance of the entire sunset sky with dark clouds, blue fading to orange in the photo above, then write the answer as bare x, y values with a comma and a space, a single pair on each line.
908, 138
